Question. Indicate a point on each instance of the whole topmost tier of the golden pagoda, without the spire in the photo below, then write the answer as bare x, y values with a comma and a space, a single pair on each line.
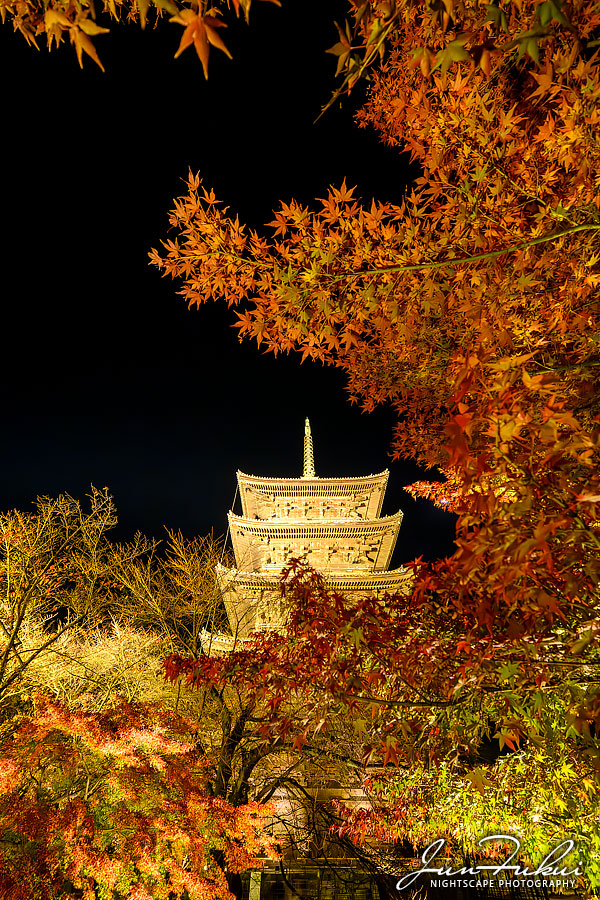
311, 497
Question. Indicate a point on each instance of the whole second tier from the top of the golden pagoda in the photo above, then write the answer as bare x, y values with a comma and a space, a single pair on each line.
330, 545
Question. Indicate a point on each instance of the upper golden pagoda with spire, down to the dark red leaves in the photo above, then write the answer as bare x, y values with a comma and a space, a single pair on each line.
334, 524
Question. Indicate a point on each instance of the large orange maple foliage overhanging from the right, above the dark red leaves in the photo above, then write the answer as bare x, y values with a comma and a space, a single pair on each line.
471, 307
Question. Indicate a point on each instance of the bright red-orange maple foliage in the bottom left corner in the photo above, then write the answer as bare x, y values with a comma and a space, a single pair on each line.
116, 804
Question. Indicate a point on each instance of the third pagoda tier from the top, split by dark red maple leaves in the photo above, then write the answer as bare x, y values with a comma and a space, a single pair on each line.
253, 600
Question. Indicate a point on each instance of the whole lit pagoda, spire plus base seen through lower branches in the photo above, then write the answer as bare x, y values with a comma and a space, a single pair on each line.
335, 524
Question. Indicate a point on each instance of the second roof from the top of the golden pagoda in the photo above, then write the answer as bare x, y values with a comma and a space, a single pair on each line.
251, 539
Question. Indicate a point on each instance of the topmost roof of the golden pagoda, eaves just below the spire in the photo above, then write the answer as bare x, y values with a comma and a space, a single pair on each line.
254, 488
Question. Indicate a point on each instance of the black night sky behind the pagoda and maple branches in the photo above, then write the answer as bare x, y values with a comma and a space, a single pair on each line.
107, 377
